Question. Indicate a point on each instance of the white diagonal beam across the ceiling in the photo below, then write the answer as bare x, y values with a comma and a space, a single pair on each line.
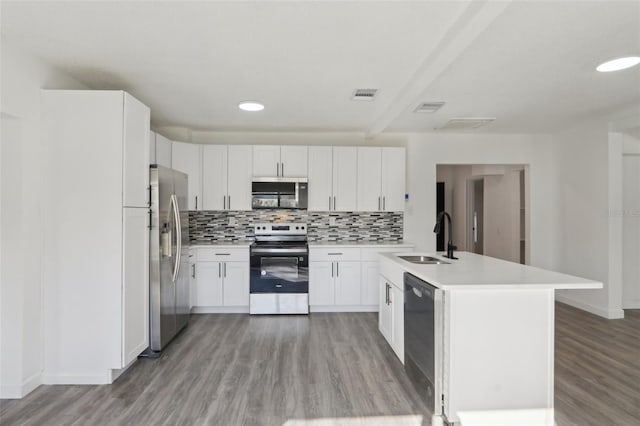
473, 20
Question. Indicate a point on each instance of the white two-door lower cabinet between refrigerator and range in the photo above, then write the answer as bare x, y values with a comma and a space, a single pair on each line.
221, 285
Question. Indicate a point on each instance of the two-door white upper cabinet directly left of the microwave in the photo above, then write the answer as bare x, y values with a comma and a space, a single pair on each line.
226, 177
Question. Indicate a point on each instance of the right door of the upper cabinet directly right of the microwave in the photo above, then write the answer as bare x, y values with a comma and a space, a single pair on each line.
345, 164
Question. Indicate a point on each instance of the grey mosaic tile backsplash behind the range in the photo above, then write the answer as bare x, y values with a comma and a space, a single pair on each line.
214, 226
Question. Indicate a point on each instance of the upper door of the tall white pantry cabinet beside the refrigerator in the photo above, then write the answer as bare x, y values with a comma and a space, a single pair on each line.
136, 153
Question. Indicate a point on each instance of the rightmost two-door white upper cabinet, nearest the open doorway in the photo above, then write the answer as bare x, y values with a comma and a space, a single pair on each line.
381, 179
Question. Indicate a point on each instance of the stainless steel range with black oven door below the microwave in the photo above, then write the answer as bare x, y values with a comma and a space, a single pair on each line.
279, 269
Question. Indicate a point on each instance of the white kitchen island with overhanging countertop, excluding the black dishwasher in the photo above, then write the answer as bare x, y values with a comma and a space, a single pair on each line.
494, 330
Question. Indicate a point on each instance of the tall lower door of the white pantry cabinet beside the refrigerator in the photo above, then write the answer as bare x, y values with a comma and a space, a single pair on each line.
135, 288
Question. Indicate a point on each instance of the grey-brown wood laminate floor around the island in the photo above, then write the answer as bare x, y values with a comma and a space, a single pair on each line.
324, 369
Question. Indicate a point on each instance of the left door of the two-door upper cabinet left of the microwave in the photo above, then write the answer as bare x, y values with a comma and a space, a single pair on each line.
214, 177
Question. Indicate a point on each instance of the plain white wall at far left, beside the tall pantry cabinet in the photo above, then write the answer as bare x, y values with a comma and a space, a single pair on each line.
21, 326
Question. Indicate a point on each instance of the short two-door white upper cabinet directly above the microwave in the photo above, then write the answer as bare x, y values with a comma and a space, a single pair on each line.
280, 161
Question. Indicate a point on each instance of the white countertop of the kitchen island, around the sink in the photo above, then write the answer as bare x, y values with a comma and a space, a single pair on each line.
472, 271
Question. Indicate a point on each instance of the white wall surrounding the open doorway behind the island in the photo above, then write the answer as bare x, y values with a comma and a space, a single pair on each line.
425, 151
